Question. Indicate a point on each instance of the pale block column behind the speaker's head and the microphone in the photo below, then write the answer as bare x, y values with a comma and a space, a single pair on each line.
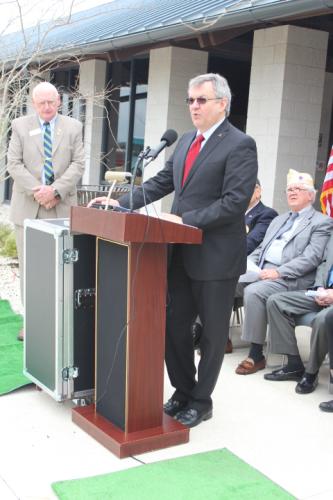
170, 70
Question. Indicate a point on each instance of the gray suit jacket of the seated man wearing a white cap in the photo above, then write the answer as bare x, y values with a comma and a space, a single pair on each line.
303, 252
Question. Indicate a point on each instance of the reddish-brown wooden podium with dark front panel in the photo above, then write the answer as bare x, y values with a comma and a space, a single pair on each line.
131, 286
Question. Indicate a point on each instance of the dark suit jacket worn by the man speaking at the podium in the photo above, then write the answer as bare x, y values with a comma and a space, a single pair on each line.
214, 198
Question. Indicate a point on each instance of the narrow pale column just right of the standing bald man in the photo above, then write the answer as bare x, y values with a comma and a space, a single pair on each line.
92, 84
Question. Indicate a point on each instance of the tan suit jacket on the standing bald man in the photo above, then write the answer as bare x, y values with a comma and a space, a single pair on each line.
25, 161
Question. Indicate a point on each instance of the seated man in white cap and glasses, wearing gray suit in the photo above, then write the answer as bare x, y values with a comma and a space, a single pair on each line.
288, 256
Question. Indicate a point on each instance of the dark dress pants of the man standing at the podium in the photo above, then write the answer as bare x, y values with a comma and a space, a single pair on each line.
213, 301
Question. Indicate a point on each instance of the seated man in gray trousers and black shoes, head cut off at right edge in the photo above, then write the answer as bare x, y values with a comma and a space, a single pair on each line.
282, 309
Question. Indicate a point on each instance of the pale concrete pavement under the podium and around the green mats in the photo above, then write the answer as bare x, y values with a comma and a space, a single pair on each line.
282, 434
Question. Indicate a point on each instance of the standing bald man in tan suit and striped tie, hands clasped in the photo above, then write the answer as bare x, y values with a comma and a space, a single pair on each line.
46, 161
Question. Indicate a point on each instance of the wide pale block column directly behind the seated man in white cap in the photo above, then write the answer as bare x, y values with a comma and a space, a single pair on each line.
285, 100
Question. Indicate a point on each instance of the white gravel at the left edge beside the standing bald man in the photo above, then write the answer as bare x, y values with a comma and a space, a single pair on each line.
9, 273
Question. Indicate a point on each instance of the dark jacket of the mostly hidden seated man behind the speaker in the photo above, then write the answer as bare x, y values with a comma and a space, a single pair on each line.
257, 221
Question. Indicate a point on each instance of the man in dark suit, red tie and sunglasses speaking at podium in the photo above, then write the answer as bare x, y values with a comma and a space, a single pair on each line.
212, 173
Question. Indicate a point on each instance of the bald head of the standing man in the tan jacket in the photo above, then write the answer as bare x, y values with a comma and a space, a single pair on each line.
46, 100
